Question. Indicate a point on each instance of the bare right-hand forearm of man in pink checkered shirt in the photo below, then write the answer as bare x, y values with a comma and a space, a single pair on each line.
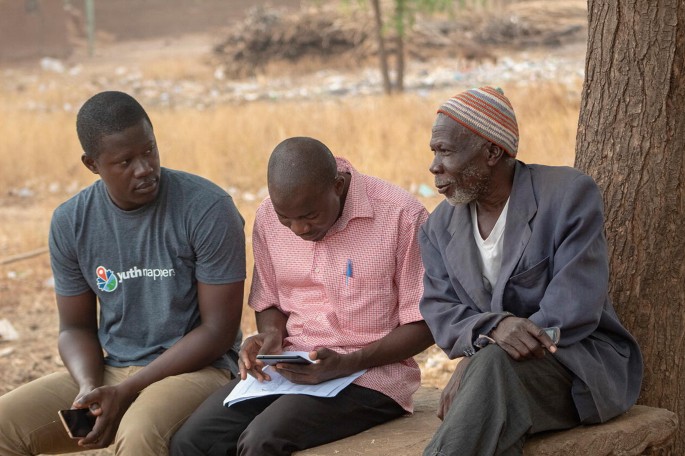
399, 344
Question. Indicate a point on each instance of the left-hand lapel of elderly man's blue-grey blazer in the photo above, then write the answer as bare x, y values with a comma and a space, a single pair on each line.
462, 255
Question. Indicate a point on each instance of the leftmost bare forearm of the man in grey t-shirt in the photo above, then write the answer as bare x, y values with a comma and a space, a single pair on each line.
81, 353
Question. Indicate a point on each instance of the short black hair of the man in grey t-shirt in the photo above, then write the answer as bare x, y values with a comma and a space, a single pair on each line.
104, 114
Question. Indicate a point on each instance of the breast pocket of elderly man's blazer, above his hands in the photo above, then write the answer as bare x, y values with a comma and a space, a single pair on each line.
525, 290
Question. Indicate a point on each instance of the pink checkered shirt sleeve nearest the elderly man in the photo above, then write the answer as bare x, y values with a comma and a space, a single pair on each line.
409, 270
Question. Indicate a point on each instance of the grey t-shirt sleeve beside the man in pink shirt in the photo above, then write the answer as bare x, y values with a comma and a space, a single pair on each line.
219, 243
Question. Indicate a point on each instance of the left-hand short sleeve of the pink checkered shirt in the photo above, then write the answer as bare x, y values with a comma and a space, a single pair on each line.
264, 292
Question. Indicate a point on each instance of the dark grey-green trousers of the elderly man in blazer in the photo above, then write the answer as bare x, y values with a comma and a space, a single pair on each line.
500, 401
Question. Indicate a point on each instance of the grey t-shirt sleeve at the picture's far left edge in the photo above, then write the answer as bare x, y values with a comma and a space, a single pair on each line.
69, 280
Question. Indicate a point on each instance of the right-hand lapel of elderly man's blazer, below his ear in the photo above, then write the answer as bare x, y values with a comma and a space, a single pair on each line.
522, 209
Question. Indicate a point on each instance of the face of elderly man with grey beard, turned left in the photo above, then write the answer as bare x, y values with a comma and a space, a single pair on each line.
460, 161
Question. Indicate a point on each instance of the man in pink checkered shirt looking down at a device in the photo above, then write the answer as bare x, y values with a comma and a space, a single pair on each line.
338, 274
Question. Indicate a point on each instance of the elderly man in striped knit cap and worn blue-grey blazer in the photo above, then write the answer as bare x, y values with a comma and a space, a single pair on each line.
515, 249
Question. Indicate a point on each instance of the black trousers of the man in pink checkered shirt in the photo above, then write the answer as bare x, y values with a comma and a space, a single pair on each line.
279, 424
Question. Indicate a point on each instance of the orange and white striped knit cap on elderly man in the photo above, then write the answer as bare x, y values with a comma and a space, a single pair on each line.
487, 113
